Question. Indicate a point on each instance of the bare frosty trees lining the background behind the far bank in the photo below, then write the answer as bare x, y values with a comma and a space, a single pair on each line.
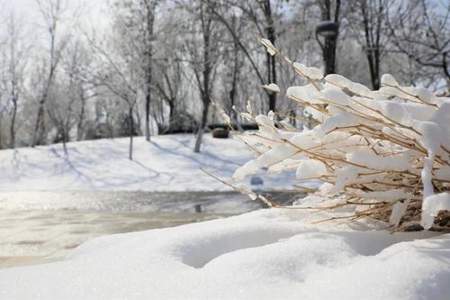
169, 66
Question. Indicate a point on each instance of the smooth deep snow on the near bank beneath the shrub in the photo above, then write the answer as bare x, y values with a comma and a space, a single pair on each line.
267, 254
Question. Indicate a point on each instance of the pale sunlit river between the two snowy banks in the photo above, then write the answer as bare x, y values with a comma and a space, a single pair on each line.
39, 227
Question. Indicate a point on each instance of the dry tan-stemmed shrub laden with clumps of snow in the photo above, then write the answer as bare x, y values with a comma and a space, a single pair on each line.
384, 152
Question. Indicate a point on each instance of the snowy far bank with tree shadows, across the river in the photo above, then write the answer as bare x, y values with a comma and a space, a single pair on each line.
166, 164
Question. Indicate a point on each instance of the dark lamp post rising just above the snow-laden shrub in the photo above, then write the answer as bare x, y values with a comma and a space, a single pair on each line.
329, 31
